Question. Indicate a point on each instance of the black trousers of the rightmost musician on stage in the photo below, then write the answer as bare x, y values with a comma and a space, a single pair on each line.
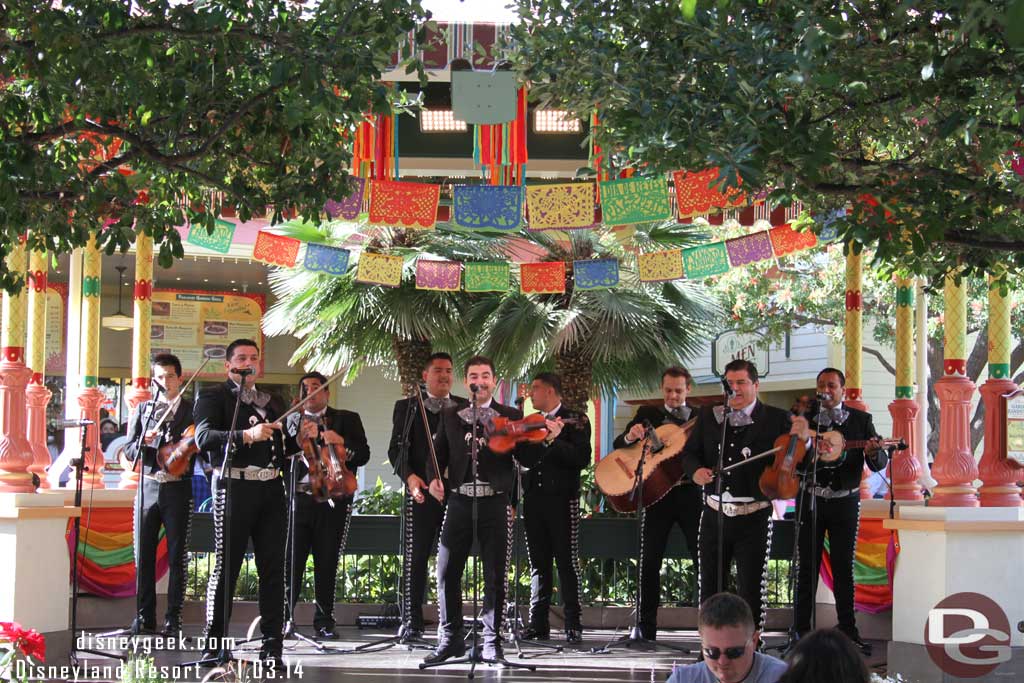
841, 519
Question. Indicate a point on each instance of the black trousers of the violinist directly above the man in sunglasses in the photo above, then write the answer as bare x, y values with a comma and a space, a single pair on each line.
747, 539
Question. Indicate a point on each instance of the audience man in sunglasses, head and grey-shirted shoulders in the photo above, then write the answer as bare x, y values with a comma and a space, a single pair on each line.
729, 645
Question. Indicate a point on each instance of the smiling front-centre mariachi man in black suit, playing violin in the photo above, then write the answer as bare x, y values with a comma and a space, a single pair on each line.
496, 479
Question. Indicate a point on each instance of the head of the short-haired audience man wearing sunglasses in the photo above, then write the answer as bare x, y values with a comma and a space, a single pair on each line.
728, 637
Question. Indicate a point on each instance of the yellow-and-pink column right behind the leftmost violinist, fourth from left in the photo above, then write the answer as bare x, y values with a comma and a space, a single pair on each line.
140, 392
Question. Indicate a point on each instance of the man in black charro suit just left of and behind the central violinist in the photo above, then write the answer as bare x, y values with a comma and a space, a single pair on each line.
423, 513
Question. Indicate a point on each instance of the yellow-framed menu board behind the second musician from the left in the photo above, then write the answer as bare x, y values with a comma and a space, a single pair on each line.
195, 325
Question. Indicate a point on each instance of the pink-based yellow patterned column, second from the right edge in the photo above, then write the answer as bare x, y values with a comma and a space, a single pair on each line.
955, 468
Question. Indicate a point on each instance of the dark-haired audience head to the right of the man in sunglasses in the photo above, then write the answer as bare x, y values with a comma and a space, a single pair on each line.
826, 655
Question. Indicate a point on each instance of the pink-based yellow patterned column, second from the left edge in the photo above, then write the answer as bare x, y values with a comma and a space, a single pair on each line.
37, 396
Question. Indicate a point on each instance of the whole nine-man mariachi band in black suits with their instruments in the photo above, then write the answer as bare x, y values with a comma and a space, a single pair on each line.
289, 484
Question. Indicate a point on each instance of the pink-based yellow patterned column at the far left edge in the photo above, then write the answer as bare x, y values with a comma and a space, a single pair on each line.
16, 453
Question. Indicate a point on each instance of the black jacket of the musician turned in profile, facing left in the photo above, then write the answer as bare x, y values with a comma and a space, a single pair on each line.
556, 469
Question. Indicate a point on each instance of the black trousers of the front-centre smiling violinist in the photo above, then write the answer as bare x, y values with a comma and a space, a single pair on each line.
495, 519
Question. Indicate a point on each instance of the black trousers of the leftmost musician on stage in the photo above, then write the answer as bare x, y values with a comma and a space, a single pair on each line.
167, 505
